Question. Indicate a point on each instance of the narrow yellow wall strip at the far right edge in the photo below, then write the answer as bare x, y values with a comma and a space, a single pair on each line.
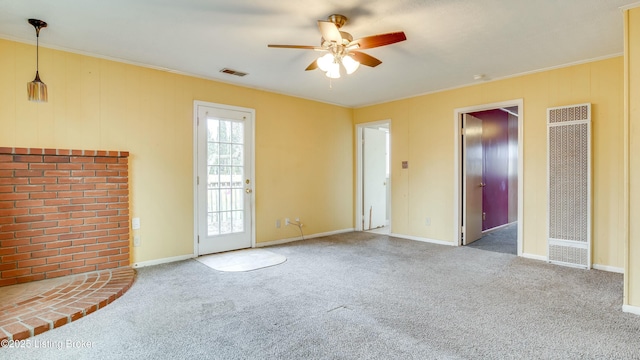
632, 118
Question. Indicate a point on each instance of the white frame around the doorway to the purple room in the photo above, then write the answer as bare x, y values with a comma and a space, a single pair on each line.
457, 169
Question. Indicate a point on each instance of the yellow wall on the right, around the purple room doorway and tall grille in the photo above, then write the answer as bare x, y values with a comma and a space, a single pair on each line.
422, 132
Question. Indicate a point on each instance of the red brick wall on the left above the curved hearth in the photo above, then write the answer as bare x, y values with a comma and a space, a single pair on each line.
62, 212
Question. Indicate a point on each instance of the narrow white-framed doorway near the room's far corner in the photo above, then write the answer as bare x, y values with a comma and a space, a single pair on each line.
373, 210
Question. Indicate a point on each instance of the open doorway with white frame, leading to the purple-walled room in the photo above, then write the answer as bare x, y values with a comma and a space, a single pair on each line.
489, 168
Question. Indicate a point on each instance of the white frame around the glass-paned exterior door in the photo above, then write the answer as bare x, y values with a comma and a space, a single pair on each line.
196, 103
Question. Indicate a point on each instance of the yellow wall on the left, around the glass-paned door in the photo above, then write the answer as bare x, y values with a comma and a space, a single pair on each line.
303, 148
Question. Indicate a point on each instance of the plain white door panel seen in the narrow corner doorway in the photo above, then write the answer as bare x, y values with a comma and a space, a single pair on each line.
374, 178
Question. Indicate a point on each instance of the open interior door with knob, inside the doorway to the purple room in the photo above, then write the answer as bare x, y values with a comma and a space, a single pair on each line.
472, 179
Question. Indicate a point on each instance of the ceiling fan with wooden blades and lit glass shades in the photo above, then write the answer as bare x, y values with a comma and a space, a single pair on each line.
342, 49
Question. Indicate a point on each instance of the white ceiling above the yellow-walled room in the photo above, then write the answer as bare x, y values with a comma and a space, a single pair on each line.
448, 41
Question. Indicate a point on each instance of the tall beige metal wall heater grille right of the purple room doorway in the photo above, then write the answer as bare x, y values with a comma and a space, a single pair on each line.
569, 212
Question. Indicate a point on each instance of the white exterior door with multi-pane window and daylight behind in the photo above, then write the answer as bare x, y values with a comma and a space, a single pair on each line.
225, 179
